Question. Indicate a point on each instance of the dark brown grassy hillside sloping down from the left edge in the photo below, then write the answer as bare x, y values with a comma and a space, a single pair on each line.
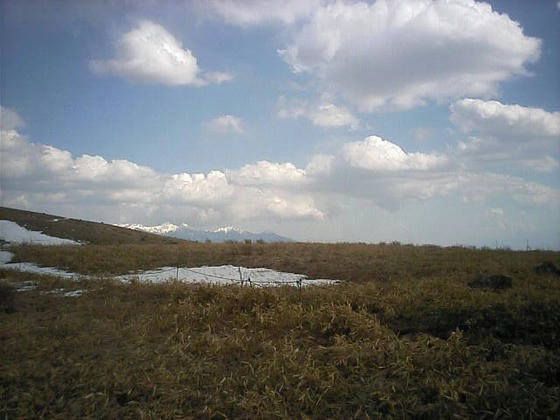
80, 230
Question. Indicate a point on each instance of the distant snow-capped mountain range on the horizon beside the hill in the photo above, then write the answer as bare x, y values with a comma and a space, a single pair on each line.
222, 234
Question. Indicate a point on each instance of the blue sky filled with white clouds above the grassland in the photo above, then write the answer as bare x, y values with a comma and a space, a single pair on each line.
419, 121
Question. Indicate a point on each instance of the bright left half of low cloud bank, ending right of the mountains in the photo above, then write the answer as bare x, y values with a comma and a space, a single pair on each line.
41, 176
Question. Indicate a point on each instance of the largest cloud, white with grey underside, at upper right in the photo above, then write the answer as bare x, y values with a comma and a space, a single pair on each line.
400, 54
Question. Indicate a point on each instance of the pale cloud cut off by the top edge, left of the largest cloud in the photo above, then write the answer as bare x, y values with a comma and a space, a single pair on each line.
257, 12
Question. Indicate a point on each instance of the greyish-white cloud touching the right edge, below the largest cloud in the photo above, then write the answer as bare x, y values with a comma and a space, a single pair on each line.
527, 137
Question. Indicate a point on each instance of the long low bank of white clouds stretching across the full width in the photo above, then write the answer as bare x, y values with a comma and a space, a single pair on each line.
372, 170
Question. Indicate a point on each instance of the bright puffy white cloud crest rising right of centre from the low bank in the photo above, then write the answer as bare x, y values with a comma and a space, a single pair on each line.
377, 154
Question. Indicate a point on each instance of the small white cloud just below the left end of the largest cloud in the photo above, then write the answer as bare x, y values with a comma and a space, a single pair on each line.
324, 114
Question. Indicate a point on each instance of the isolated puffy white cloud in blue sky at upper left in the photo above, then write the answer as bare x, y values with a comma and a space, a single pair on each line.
148, 53
